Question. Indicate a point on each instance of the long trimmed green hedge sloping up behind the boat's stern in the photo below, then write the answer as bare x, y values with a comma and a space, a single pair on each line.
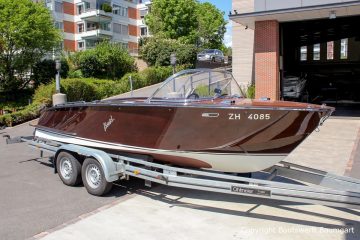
86, 89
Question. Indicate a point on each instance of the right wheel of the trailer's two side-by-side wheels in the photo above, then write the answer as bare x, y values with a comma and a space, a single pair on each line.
93, 178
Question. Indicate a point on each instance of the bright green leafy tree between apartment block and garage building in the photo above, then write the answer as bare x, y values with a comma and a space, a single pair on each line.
188, 21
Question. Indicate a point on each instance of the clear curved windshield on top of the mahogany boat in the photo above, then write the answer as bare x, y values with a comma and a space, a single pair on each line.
197, 83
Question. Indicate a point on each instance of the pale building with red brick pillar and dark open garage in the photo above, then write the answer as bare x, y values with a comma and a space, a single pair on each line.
317, 40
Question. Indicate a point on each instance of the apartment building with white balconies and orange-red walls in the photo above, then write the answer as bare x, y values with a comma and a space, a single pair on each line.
85, 23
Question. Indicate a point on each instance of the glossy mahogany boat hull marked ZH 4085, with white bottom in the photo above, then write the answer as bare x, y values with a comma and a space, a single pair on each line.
224, 138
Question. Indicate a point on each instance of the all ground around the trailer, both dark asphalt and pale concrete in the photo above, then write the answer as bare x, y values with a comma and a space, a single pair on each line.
34, 201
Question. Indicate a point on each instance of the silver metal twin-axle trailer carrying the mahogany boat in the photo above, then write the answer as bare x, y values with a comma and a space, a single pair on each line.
97, 166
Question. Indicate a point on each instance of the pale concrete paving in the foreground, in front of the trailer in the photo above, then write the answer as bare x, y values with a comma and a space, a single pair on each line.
170, 213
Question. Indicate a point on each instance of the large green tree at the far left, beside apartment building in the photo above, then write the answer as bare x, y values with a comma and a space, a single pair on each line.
27, 33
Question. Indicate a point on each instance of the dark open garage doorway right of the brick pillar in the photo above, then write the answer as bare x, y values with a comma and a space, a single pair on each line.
321, 61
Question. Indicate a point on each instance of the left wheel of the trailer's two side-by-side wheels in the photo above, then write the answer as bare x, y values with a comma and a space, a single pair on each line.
68, 168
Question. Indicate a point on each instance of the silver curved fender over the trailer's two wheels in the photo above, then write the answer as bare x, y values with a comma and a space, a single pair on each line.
108, 165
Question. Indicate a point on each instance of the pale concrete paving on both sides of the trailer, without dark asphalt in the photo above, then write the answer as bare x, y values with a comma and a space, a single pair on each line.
172, 213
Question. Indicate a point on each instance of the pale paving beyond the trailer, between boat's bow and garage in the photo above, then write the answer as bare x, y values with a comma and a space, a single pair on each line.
333, 148
